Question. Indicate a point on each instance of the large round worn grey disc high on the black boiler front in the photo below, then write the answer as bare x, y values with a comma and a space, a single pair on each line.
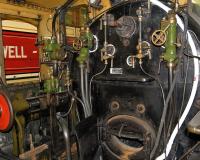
126, 26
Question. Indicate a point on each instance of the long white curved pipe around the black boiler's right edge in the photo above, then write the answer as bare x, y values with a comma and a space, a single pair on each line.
194, 87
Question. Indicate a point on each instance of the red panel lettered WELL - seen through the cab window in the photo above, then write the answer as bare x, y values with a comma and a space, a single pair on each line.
20, 53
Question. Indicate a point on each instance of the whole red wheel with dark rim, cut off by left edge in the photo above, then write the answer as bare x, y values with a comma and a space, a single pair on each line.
6, 113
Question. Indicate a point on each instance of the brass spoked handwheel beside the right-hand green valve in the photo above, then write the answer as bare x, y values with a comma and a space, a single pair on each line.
159, 37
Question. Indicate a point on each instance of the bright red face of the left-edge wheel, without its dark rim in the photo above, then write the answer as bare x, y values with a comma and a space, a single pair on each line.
5, 115
